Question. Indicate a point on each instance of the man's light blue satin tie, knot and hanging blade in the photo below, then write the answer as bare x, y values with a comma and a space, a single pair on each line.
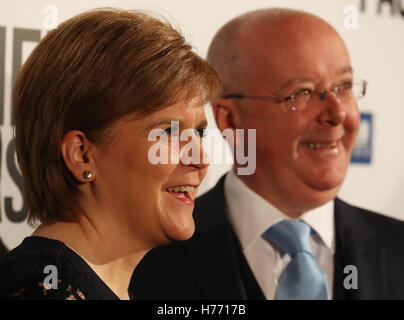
302, 278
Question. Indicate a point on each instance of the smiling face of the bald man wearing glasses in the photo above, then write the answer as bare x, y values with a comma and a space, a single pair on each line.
302, 156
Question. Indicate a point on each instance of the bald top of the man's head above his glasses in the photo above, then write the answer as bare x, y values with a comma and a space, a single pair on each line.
277, 44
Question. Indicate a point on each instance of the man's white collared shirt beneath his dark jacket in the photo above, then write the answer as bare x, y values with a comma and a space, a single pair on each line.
251, 215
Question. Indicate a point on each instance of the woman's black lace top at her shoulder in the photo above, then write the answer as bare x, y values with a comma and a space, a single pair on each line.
41, 268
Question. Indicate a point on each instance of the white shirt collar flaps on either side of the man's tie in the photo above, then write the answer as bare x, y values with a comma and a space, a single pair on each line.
251, 215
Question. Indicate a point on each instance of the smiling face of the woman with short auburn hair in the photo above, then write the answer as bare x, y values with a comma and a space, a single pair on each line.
145, 198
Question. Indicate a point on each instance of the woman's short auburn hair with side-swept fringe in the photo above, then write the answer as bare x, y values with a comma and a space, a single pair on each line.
90, 72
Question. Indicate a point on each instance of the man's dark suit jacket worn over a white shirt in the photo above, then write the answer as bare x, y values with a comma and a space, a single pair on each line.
211, 265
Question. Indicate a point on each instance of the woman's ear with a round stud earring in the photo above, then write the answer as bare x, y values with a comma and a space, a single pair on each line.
74, 149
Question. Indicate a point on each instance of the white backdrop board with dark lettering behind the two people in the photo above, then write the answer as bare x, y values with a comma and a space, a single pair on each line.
375, 38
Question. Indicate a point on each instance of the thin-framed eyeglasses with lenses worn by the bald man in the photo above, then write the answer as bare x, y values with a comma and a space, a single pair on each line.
303, 98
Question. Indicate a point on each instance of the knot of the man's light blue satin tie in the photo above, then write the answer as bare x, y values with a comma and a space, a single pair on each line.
290, 236
